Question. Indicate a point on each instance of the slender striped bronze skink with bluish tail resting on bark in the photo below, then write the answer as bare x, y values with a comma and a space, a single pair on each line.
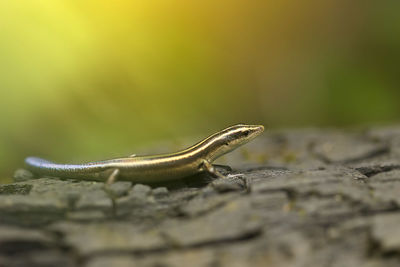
195, 159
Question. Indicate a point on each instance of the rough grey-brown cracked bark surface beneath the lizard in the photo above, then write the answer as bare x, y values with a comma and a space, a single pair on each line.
294, 198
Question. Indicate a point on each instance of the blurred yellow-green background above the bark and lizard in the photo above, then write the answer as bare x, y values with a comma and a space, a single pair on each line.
95, 79
